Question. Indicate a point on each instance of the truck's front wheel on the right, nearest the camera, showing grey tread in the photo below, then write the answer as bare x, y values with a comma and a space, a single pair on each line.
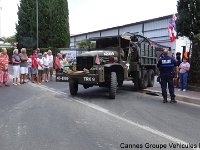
113, 85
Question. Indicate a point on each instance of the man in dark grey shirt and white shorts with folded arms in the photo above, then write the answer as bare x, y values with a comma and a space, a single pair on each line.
23, 65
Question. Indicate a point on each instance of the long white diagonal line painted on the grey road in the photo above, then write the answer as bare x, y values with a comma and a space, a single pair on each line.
107, 112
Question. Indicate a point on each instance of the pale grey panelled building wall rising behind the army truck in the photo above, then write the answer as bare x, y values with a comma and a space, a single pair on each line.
154, 29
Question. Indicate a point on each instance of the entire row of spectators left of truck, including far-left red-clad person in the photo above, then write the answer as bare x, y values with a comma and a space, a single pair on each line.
37, 67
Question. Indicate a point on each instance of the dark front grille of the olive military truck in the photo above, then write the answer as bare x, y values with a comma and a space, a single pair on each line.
84, 62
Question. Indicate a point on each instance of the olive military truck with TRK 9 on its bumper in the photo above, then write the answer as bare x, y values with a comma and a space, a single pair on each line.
114, 60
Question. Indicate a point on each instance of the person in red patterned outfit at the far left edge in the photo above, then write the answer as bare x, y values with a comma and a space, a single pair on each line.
4, 76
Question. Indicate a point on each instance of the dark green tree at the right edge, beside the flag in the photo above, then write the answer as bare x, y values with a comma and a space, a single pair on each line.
188, 23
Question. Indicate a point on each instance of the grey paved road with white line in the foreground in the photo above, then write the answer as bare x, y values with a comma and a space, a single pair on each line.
46, 117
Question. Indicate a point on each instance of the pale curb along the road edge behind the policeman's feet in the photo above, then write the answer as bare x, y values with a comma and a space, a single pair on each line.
187, 99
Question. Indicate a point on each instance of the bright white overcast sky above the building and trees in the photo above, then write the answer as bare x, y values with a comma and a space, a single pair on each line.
90, 15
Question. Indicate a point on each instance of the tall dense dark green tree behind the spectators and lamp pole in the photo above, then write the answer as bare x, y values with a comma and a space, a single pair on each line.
53, 24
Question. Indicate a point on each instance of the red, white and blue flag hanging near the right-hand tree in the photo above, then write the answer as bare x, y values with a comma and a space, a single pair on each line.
172, 28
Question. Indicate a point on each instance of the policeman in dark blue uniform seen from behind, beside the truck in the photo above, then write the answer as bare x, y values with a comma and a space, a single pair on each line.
166, 66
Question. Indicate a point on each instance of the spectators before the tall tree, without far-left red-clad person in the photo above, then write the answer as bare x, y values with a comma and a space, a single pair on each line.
36, 67
